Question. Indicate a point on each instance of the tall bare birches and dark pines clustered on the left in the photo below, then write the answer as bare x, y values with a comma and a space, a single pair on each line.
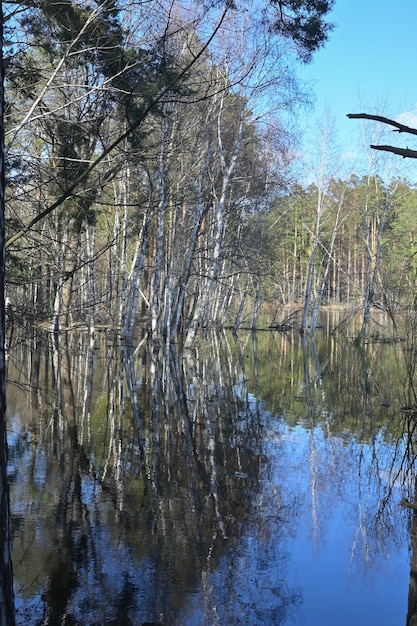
144, 150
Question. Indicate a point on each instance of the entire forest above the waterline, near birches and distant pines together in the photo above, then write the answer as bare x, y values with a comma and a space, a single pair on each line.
152, 174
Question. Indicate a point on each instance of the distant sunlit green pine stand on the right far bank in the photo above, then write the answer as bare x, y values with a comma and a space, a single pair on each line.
349, 242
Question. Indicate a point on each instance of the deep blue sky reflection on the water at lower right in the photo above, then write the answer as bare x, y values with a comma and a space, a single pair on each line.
318, 567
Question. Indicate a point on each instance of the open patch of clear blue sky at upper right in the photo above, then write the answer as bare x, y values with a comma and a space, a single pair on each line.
368, 65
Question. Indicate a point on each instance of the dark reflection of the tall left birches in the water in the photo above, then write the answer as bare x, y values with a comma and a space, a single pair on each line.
133, 478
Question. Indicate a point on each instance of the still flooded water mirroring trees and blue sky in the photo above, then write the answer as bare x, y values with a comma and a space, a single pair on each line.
255, 481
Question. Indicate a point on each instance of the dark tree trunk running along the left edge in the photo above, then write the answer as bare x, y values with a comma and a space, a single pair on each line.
7, 614
